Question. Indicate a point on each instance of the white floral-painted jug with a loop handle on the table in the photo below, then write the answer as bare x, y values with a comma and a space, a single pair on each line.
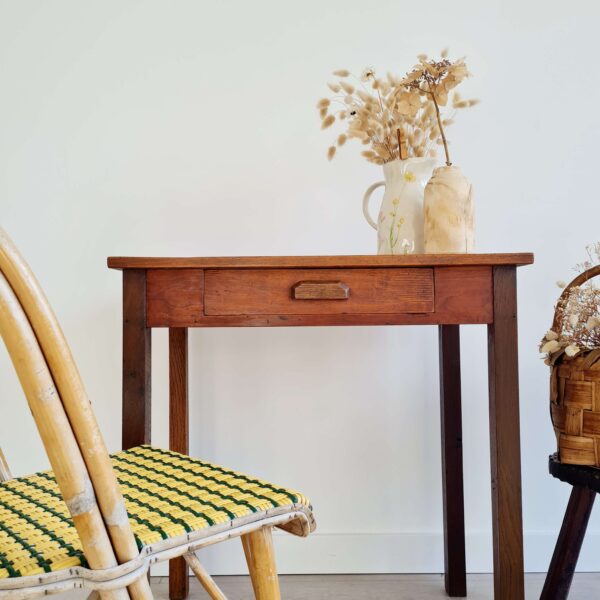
400, 223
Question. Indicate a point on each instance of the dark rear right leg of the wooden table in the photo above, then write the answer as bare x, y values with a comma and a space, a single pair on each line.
452, 463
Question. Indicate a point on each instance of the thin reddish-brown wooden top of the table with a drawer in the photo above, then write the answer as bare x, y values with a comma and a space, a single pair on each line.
316, 262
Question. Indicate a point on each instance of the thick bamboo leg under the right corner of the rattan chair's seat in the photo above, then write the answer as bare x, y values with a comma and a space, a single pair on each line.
258, 548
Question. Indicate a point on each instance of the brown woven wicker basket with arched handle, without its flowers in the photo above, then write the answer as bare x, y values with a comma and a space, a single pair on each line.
575, 397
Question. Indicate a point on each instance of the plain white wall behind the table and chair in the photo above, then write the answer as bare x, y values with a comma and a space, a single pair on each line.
189, 128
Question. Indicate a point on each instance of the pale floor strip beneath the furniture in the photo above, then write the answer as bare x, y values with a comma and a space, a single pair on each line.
586, 586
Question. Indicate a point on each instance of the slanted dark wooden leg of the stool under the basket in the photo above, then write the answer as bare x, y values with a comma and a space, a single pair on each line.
564, 560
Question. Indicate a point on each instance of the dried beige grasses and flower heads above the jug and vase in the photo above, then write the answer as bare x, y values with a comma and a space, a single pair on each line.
397, 118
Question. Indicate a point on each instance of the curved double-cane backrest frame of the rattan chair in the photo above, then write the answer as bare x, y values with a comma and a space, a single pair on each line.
64, 416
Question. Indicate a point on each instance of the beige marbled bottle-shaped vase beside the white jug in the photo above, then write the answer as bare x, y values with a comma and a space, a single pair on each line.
449, 223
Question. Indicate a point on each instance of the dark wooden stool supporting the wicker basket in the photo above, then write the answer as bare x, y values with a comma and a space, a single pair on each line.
586, 484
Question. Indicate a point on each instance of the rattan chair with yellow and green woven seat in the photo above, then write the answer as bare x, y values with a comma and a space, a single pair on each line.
97, 521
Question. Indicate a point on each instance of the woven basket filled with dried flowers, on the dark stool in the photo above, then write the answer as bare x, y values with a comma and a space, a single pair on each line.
572, 349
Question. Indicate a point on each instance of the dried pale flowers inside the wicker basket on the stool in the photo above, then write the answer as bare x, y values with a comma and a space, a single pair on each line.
576, 327
